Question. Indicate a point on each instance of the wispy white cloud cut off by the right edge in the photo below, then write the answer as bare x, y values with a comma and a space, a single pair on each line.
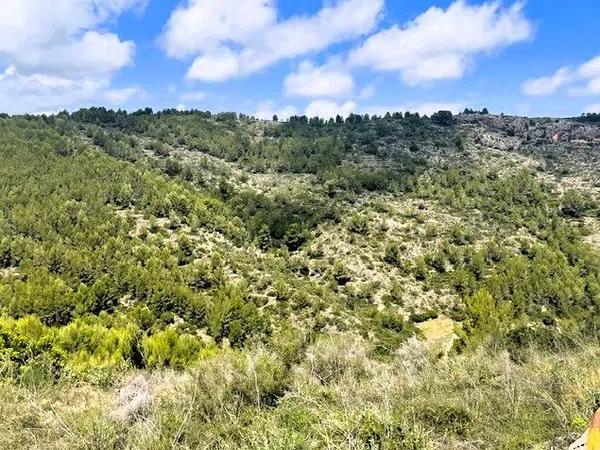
582, 80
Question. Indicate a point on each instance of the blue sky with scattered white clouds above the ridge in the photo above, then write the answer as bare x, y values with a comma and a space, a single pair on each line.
313, 57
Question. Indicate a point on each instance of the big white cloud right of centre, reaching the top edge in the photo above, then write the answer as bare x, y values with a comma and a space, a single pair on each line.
441, 44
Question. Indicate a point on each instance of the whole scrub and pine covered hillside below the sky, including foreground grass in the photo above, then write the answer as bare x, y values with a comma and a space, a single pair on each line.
191, 280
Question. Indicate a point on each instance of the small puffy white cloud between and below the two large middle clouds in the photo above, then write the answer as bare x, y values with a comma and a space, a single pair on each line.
324, 81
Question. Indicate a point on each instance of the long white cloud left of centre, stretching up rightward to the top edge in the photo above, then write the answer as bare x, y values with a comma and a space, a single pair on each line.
244, 37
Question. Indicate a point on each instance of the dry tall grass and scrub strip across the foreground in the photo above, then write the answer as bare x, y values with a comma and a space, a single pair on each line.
330, 395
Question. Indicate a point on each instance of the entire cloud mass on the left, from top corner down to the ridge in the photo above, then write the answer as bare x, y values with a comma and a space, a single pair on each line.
59, 53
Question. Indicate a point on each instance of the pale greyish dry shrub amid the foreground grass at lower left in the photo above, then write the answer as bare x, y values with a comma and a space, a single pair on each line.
133, 400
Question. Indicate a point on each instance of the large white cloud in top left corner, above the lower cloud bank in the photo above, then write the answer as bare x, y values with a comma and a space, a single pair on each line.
61, 36
